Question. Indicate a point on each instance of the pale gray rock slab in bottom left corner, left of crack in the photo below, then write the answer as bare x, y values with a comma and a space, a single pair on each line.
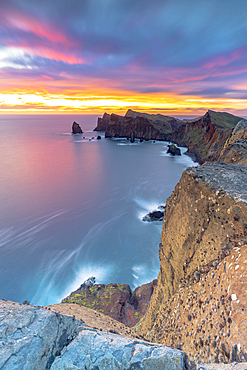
31, 336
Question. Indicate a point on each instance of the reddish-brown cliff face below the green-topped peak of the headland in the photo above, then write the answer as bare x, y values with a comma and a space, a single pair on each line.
205, 137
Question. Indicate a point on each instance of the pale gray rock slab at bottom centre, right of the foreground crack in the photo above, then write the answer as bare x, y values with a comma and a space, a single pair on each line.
94, 350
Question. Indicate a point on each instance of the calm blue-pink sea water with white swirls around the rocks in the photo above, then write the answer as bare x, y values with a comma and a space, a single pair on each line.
71, 208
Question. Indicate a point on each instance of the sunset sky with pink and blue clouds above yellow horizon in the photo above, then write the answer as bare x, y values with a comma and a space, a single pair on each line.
174, 57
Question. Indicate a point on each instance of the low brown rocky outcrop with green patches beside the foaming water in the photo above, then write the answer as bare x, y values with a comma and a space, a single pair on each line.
115, 300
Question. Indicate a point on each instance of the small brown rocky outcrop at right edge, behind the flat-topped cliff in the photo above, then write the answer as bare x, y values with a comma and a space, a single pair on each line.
235, 148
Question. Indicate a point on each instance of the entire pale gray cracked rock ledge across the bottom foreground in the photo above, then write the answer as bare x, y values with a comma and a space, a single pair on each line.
32, 337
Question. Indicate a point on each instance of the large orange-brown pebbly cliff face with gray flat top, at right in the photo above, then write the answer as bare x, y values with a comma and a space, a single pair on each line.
205, 219
